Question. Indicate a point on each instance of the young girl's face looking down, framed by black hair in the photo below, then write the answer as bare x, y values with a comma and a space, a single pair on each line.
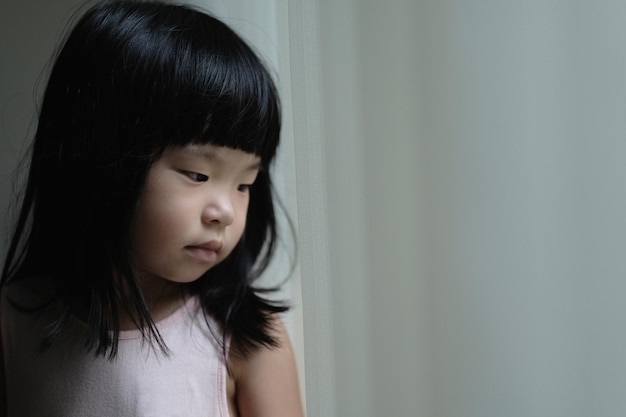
192, 211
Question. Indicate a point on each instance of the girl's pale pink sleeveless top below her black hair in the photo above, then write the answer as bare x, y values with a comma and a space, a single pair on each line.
66, 381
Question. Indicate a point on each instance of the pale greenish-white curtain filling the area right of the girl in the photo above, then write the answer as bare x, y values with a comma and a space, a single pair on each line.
476, 196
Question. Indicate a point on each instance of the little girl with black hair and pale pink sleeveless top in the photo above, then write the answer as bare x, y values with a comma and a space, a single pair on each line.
146, 218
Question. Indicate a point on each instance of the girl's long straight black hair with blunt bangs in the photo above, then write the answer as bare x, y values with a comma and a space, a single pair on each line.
132, 79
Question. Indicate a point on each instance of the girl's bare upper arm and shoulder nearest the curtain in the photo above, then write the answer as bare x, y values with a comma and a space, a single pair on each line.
265, 384
